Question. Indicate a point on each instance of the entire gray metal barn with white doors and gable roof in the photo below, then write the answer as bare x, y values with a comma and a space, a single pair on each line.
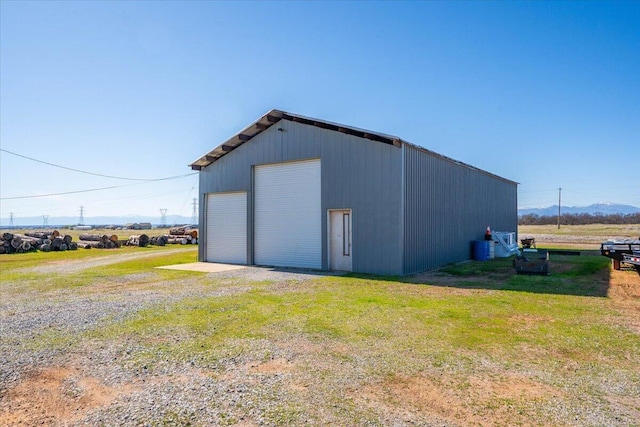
294, 191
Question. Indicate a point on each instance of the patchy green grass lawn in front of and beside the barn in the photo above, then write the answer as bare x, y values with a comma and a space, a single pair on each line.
502, 349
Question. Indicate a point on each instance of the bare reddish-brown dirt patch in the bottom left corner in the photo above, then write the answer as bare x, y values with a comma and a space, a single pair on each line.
53, 396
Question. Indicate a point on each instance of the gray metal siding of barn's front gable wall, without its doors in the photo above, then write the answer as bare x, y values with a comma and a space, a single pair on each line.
359, 174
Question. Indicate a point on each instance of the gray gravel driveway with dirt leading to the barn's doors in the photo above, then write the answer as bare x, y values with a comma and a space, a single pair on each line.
47, 377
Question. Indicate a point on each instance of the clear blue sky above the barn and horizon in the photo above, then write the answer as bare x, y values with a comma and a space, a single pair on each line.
543, 93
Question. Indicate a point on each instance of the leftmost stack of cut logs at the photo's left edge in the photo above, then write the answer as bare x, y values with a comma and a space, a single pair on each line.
30, 242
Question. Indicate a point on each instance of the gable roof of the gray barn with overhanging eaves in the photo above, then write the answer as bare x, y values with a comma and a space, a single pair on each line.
274, 116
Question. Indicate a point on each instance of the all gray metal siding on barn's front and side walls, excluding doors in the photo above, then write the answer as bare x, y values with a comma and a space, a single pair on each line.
411, 210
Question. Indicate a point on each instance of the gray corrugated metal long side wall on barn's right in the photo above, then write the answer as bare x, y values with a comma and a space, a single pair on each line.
448, 205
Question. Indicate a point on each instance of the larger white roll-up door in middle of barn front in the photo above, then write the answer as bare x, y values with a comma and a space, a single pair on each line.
287, 228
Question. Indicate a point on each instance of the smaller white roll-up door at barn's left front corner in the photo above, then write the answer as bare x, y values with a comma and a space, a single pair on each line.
227, 227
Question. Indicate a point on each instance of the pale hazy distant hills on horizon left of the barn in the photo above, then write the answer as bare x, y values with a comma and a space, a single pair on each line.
54, 221
